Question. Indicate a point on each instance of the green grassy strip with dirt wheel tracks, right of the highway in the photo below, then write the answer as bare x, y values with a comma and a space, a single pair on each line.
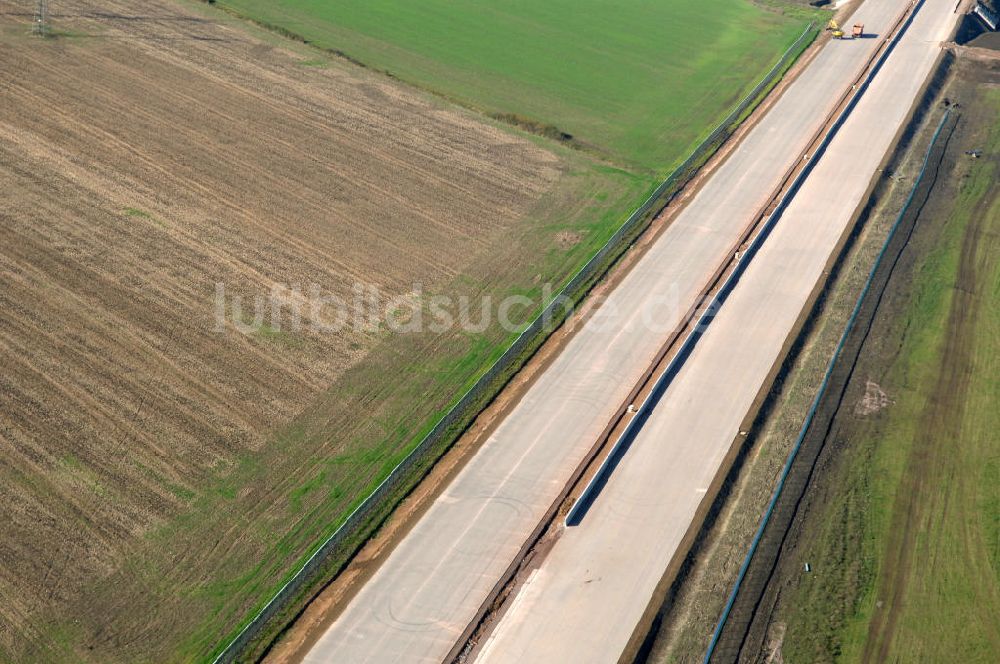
905, 550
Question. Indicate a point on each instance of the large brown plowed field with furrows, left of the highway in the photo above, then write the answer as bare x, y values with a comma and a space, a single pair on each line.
148, 153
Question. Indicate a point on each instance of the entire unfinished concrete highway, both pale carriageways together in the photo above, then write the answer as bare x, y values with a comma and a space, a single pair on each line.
589, 597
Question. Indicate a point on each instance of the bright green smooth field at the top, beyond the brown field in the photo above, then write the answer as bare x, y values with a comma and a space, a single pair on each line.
638, 81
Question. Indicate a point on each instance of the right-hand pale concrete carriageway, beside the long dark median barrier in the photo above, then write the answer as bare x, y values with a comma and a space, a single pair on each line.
593, 588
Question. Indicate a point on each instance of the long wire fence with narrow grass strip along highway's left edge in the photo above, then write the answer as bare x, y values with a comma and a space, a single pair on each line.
493, 379
